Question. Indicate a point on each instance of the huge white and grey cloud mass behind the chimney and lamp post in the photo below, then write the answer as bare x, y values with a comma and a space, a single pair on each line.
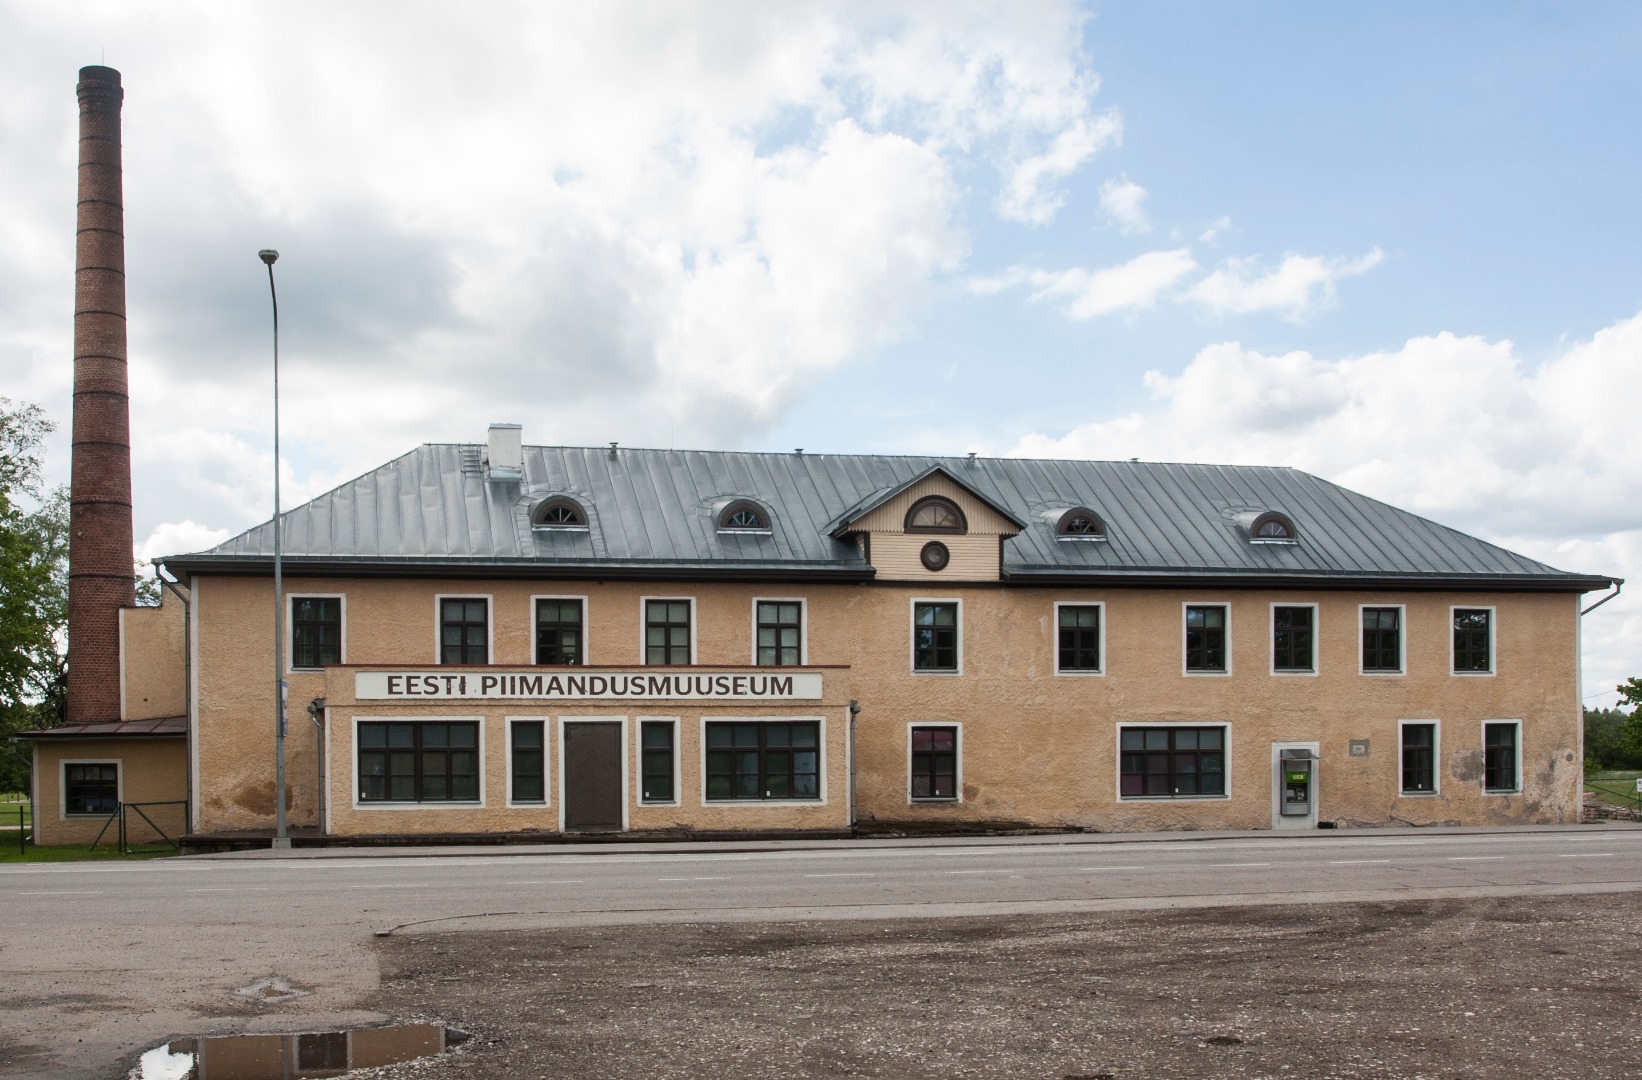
636, 222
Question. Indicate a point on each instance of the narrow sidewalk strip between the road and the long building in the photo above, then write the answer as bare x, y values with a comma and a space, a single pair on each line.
718, 848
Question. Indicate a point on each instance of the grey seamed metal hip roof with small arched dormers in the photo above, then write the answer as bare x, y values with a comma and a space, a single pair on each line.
651, 513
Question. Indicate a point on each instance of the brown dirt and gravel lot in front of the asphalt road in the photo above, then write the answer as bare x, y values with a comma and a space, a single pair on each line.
1513, 987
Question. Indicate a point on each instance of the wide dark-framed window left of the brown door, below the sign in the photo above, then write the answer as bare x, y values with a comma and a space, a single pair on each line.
420, 762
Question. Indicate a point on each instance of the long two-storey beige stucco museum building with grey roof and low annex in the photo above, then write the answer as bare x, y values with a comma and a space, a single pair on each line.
505, 639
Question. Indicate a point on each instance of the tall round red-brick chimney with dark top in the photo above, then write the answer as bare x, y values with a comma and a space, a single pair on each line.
101, 572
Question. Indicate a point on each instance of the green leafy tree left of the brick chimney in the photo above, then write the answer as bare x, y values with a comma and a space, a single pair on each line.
34, 585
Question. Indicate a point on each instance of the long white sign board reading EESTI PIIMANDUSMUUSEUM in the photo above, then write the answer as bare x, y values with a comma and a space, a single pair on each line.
585, 687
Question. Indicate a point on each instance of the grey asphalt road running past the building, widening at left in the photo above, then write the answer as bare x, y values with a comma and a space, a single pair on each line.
122, 956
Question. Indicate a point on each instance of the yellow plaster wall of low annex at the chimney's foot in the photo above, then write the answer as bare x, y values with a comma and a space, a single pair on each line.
152, 771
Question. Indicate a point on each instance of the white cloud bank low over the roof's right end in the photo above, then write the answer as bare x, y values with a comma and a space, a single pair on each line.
1454, 428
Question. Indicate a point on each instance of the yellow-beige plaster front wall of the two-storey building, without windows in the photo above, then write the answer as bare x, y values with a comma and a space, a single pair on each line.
1037, 748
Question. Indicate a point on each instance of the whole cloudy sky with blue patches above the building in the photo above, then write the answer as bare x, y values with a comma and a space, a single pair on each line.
1395, 244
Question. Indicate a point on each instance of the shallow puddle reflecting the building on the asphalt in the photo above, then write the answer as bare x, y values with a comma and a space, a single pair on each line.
293, 1056
